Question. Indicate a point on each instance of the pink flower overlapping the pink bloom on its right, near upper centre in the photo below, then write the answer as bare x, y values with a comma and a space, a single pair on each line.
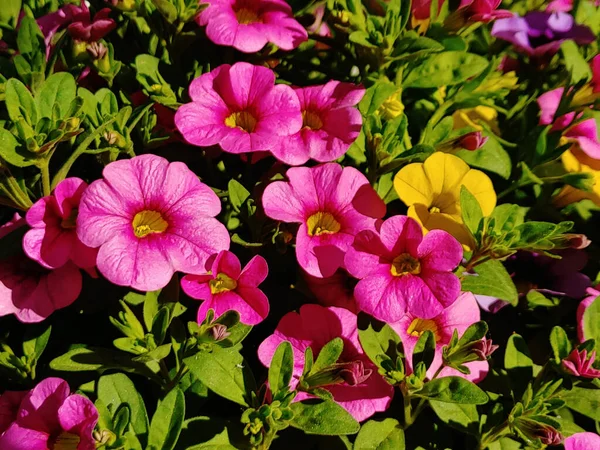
240, 108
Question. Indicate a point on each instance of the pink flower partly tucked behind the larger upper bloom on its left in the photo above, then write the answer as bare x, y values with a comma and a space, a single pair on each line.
330, 124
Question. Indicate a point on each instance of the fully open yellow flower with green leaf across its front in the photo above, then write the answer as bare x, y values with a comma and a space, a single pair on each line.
431, 190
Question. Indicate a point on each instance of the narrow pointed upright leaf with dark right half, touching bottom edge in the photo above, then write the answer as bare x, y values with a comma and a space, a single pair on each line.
167, 421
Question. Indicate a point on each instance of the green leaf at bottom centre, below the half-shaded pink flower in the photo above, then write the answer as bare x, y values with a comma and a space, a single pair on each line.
324, 417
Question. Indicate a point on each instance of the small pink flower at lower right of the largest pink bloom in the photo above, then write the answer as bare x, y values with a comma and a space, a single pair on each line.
228, 287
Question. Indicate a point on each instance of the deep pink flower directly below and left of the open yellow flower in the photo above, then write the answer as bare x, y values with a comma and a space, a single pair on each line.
401, 270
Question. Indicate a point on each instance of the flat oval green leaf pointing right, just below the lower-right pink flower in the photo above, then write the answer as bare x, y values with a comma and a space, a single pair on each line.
453, 390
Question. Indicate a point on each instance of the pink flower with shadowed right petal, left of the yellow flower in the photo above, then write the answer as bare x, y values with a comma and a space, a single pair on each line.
332, 204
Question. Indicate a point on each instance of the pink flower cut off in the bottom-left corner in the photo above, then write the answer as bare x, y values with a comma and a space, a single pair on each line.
49, 417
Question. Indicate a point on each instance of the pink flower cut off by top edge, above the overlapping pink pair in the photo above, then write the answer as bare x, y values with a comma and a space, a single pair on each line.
248, 25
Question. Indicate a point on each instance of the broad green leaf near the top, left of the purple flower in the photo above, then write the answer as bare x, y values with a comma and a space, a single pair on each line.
445, 69
